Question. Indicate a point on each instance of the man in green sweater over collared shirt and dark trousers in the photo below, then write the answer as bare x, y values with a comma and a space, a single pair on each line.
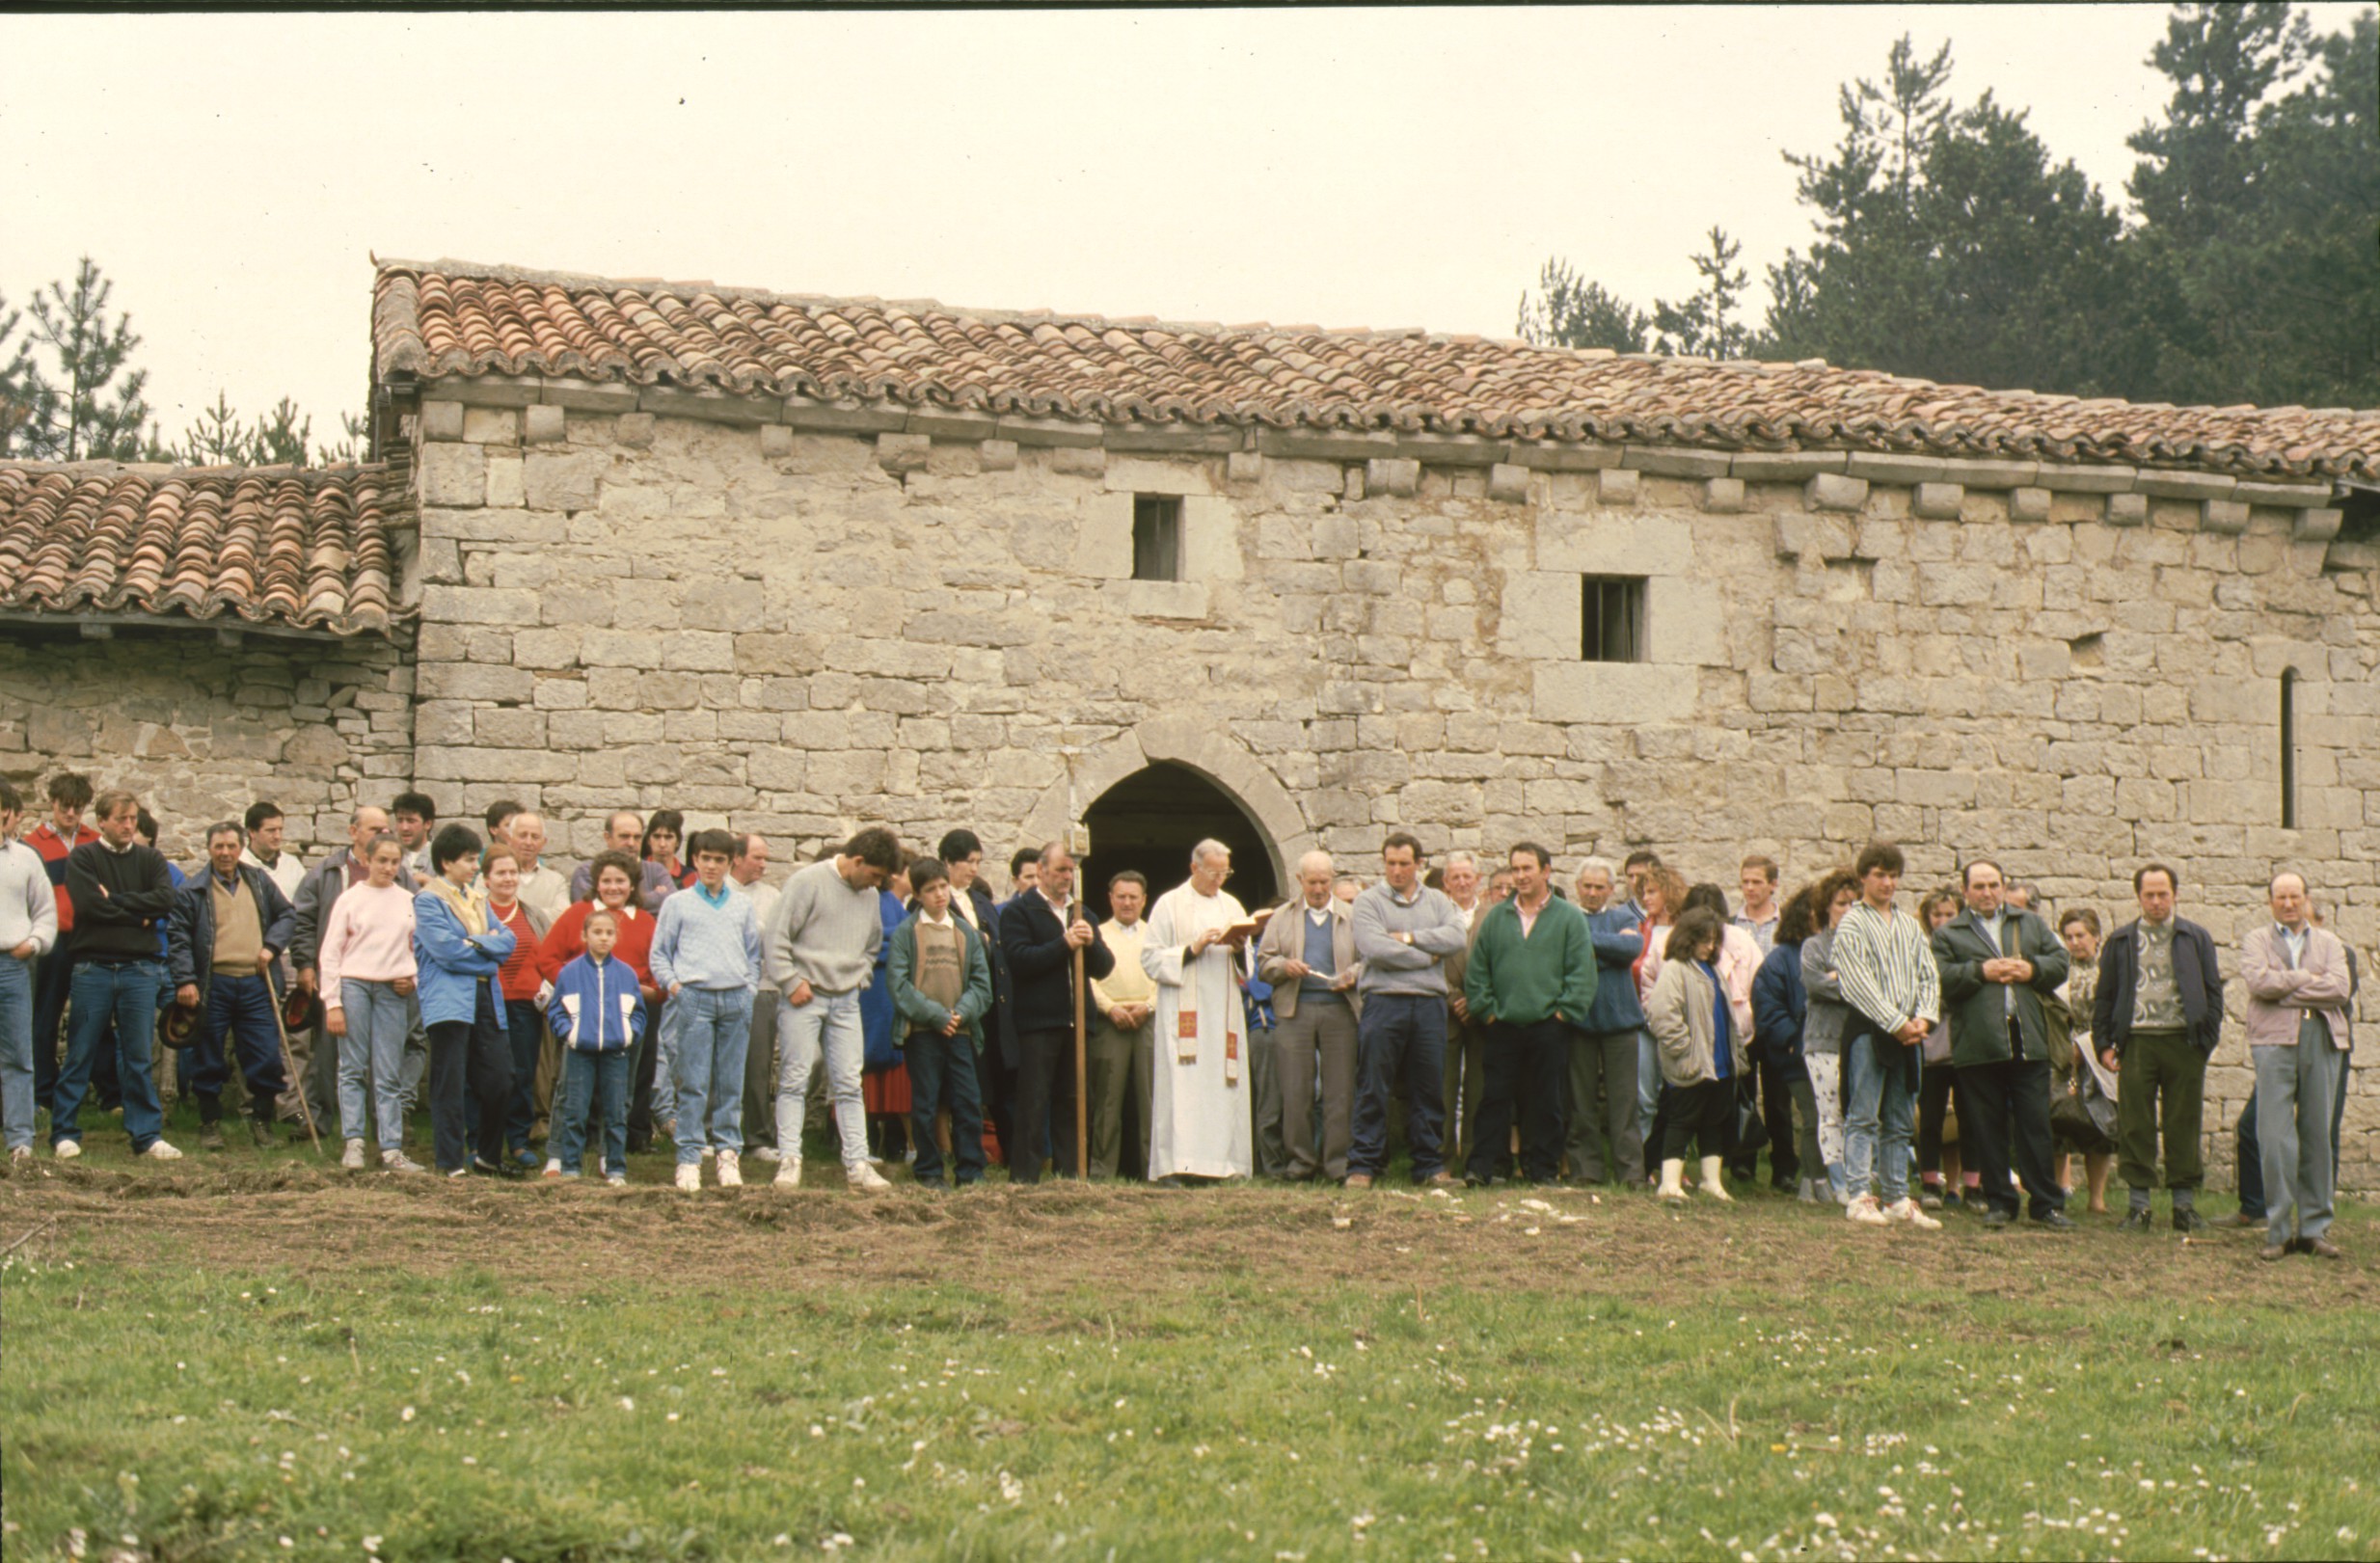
1532, 981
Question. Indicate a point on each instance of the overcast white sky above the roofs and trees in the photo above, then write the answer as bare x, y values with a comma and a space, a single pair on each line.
1344, 168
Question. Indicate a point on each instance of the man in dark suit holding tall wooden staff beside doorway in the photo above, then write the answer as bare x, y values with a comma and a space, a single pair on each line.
1039, 931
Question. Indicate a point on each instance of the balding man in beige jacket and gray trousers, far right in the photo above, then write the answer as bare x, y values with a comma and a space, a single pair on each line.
2298, 996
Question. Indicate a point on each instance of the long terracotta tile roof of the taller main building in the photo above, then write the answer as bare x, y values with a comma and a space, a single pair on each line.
463, 320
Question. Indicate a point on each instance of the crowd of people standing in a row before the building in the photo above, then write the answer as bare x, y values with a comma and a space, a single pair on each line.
1496, 1027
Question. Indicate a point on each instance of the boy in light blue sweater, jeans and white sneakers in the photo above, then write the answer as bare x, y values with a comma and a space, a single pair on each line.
706, 960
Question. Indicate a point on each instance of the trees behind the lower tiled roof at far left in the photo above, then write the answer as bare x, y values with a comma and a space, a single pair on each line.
70, 394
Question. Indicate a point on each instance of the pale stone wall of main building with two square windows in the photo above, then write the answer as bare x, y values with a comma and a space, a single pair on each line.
810, 627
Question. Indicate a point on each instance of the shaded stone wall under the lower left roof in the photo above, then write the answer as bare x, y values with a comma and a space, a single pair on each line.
201, 729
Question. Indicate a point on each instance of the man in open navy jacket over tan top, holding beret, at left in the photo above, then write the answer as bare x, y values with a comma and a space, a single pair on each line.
227, 934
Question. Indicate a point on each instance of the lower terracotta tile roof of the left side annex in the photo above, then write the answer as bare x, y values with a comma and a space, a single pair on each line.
239, 544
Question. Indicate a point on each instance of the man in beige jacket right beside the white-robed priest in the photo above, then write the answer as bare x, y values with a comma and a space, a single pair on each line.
1308, 955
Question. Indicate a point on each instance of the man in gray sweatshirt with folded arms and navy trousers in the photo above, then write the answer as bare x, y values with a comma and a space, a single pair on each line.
1403, 934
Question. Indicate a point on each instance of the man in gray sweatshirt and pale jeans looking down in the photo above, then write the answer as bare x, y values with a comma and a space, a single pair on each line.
820, 953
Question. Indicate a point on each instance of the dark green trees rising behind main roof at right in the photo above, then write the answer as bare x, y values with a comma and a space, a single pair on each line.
1953, 246
